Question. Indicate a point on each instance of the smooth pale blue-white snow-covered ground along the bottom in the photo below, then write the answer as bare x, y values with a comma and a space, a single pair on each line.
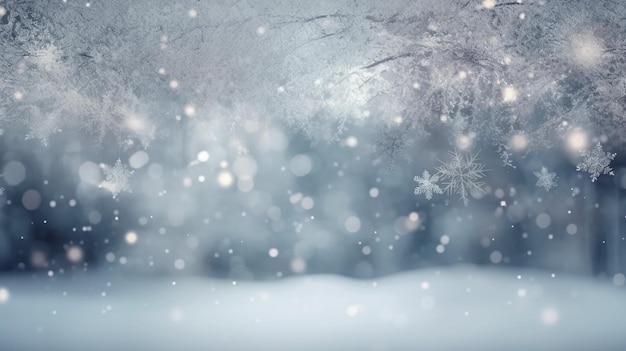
453, 308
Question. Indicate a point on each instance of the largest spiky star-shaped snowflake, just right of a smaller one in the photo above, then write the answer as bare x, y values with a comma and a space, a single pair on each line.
461, 175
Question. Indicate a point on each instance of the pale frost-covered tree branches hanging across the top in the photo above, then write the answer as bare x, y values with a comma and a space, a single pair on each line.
529, 68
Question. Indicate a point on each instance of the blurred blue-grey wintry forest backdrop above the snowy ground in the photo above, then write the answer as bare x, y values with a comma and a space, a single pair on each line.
261, 139
